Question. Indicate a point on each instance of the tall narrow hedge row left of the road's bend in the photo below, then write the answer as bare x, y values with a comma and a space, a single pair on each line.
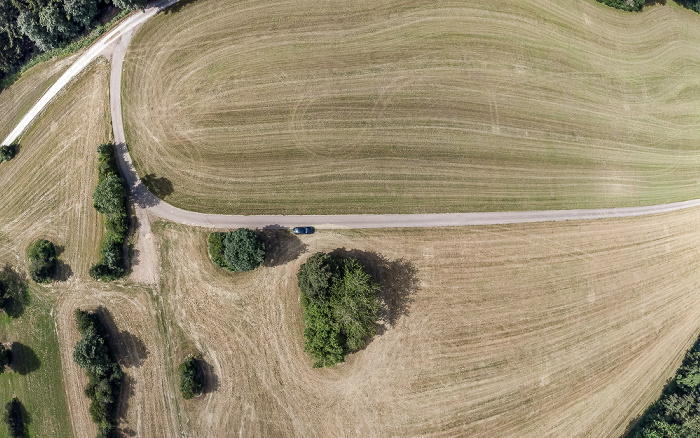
110, 199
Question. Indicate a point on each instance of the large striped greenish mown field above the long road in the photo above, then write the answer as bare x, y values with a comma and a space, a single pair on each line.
408, 106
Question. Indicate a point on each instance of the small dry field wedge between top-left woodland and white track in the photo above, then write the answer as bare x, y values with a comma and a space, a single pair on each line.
23, 94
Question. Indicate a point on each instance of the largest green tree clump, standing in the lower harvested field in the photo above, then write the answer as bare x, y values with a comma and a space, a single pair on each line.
340, 306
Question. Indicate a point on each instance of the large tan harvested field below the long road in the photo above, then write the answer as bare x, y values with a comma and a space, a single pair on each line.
538, 330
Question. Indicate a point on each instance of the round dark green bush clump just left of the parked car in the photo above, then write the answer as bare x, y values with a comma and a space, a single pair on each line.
240, 250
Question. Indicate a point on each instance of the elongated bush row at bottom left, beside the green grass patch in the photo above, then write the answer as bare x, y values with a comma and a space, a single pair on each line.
94, 355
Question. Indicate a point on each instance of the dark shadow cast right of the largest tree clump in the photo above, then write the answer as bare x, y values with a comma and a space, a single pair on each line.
398, 281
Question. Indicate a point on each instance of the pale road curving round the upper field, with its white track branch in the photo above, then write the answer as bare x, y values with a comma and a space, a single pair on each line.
145, 200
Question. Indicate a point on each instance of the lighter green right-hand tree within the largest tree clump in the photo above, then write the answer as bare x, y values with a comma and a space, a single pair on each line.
355, 305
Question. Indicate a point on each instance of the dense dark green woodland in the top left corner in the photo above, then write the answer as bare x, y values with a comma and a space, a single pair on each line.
28, 26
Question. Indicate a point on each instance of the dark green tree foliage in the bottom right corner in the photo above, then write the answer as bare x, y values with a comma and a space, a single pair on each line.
677, 412
